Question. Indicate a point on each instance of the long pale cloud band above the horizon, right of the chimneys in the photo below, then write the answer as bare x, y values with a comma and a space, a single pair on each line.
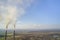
21, 25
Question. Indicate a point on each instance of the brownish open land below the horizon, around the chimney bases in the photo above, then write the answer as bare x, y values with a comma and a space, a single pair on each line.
34, 36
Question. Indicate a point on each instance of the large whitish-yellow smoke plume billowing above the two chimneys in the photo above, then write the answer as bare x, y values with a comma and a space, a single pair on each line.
11, 9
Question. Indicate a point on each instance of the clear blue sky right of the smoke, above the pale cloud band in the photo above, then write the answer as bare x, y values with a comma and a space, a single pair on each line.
43, 12
